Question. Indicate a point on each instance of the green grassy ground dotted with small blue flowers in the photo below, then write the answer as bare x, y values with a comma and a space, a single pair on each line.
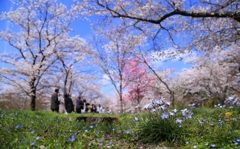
205, 128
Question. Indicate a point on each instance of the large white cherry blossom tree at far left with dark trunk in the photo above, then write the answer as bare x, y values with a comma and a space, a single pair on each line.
41, 27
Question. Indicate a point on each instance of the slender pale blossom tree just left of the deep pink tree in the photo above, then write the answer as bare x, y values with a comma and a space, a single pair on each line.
113, 49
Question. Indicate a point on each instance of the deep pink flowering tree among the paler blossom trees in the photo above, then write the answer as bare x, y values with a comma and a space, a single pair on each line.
136, 80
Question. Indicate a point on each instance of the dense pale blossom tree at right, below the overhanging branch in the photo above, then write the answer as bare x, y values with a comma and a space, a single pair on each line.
214, 74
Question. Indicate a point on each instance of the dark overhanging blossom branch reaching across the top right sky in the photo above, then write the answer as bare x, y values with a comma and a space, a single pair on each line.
200, 24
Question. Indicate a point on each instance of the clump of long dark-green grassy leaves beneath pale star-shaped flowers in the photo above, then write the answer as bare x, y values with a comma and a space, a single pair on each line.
152, 128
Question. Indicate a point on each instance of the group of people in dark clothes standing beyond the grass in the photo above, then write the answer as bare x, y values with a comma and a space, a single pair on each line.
82, 106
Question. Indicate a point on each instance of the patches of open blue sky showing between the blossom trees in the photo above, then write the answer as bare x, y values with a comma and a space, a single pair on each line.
81, 28
